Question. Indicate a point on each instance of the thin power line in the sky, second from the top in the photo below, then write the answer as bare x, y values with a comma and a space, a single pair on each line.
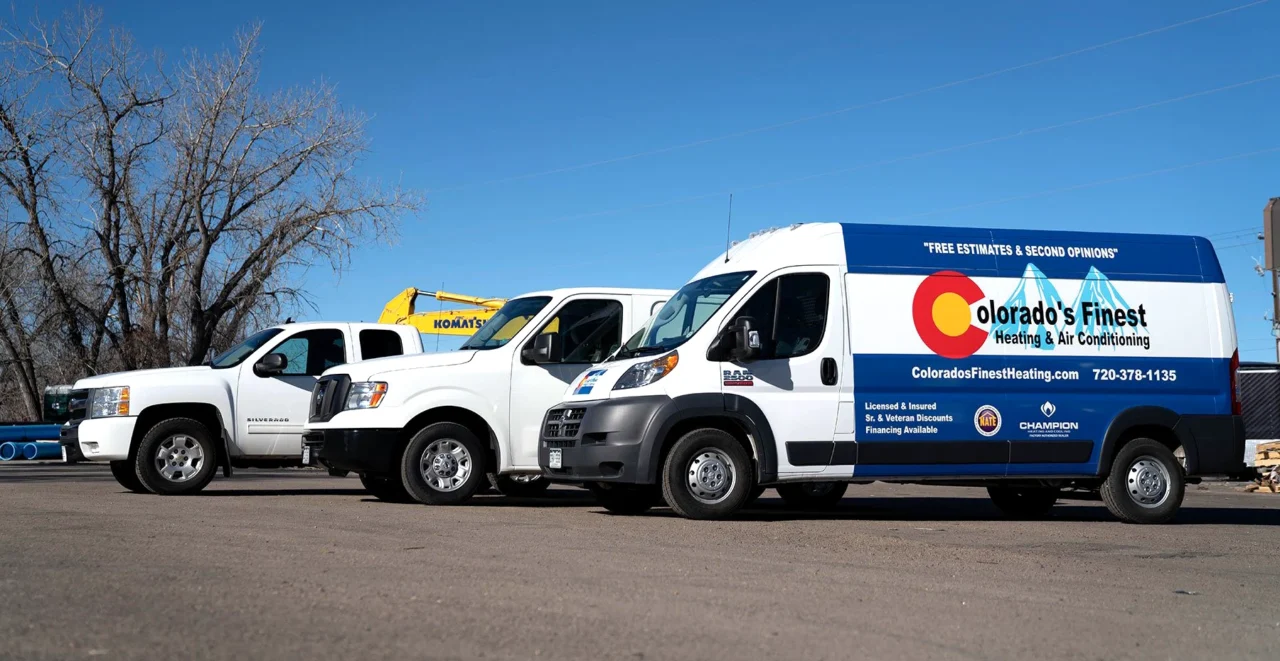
920, 154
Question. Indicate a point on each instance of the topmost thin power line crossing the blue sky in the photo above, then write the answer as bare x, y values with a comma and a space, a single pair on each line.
852, 108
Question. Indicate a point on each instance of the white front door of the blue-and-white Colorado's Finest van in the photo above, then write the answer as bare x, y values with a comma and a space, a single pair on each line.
797, 380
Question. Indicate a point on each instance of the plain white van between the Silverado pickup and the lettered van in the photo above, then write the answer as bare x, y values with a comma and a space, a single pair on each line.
437, 428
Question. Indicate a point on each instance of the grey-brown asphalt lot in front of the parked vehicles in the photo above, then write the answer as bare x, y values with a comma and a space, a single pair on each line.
295, 564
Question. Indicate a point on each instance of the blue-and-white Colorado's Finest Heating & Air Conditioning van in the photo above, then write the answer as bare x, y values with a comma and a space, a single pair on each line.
819, 355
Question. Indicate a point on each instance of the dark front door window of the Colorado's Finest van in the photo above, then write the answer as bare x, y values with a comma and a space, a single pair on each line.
792, 314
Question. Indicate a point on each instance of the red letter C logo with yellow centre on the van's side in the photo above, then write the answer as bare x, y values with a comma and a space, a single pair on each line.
943, 316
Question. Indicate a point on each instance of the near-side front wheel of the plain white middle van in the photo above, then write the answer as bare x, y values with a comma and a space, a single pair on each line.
460, 453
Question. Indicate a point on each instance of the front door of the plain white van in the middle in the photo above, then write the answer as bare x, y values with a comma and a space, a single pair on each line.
591, 329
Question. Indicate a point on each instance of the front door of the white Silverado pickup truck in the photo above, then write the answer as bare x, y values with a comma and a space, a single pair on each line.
272, 411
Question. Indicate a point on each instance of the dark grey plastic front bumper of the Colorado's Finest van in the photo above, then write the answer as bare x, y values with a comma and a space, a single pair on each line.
614, 440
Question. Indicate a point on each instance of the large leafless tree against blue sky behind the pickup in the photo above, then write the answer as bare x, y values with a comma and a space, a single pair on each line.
158, 211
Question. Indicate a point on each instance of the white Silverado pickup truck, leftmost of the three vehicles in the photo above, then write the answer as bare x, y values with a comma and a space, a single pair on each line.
168, 431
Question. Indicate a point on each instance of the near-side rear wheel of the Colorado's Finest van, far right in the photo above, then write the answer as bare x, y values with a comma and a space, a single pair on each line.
1141, 468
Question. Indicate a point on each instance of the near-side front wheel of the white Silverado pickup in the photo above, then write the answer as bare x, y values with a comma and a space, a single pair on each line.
181, 439
